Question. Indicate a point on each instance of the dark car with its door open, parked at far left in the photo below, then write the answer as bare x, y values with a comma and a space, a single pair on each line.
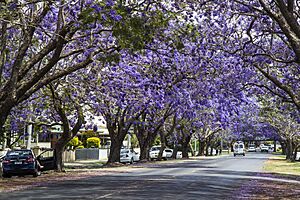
23, 162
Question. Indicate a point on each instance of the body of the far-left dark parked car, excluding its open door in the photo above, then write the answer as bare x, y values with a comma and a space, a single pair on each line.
20, 162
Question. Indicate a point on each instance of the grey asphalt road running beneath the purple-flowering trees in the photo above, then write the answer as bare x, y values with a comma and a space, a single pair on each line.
212, 178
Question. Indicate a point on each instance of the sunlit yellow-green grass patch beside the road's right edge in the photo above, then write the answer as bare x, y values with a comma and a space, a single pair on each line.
278, 164
